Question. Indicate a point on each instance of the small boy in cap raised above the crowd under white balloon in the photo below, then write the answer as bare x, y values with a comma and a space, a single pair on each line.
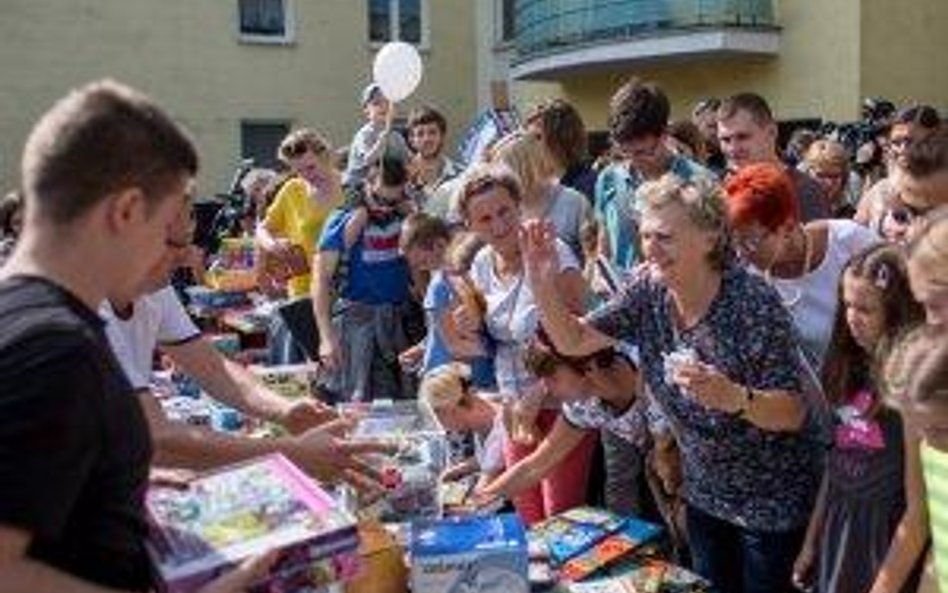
374, 138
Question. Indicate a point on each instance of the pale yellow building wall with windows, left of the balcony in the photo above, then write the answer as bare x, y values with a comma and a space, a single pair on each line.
187, 55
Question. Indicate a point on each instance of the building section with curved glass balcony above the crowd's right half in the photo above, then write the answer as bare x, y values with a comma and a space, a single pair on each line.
810, 59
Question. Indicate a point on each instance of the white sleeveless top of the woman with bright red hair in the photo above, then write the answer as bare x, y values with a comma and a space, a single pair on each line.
812, 298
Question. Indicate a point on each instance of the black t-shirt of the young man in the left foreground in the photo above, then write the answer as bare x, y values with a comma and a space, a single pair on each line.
74, 445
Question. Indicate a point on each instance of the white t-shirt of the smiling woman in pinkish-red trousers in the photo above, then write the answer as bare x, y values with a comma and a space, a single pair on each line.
512, 315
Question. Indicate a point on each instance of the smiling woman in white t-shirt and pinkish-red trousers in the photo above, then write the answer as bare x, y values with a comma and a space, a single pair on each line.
489, 205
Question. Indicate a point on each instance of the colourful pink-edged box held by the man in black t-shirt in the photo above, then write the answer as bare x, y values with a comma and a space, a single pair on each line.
221, 518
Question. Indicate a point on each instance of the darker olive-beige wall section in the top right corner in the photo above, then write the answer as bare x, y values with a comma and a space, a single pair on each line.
903, 44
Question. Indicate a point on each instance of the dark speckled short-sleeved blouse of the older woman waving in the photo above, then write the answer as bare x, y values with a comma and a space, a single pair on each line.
754, 478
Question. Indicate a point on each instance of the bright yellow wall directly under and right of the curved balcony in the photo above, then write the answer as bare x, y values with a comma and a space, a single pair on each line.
817, 71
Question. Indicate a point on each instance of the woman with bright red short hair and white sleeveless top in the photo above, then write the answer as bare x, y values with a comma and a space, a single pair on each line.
802, 261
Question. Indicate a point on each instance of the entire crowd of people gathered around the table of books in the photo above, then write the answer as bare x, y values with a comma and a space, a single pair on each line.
754, 339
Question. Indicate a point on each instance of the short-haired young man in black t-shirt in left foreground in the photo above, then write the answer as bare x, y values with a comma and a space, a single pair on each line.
105, 177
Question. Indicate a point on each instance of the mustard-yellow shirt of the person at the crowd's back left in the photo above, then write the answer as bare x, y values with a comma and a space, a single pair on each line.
297, 216
